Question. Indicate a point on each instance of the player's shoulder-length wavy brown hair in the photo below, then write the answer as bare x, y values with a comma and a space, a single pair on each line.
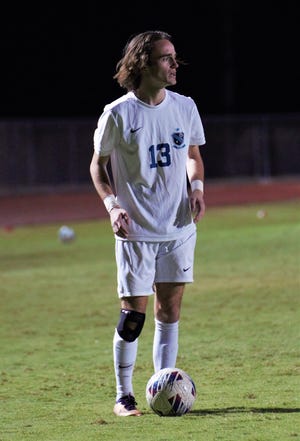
136, 56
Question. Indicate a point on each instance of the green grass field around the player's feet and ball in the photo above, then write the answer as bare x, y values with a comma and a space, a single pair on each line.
239, 333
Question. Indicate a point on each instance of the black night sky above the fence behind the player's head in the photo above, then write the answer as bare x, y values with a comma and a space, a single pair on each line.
58, 59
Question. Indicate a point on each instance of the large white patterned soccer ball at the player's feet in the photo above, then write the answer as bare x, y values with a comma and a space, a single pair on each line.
171, 392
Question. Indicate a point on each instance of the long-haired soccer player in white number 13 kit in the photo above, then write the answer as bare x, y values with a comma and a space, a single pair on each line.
153, 192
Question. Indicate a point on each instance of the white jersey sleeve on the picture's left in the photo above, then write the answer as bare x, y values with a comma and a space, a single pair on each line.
106, 135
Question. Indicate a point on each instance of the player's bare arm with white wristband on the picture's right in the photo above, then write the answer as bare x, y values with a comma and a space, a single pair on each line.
195, 173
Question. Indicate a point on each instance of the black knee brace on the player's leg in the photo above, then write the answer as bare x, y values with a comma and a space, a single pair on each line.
130, 324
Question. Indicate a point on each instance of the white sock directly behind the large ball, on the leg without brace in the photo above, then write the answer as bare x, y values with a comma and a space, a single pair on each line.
165, 345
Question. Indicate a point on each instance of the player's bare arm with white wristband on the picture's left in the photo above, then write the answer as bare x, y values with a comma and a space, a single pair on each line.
118, 216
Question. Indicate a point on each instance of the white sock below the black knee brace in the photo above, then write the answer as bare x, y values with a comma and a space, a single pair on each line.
124, 360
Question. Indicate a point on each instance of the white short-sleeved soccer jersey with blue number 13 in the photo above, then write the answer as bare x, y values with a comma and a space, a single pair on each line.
148, 148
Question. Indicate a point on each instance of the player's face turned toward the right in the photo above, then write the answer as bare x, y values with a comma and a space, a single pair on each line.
163, 64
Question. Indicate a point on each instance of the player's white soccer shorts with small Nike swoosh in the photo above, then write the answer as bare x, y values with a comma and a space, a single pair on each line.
141, 264
